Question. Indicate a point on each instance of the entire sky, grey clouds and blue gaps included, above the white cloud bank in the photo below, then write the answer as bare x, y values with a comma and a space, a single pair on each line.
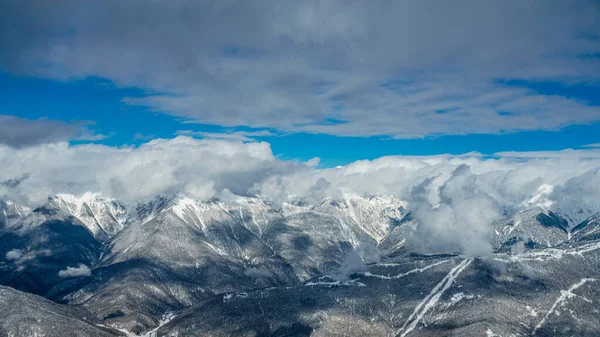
343, 87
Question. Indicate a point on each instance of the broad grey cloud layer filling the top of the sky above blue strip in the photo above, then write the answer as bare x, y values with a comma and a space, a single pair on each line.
344, 67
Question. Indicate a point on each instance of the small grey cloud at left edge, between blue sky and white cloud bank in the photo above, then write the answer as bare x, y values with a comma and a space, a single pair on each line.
20, 132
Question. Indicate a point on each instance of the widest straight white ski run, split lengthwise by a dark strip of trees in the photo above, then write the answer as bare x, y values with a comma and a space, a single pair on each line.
430, 301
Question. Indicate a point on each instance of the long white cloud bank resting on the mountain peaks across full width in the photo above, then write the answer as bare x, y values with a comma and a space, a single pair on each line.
455, 198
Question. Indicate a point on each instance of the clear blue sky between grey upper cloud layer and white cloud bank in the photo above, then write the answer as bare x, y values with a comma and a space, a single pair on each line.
99, 101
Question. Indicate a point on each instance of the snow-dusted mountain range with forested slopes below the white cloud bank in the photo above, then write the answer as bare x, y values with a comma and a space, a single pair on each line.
175, 266
